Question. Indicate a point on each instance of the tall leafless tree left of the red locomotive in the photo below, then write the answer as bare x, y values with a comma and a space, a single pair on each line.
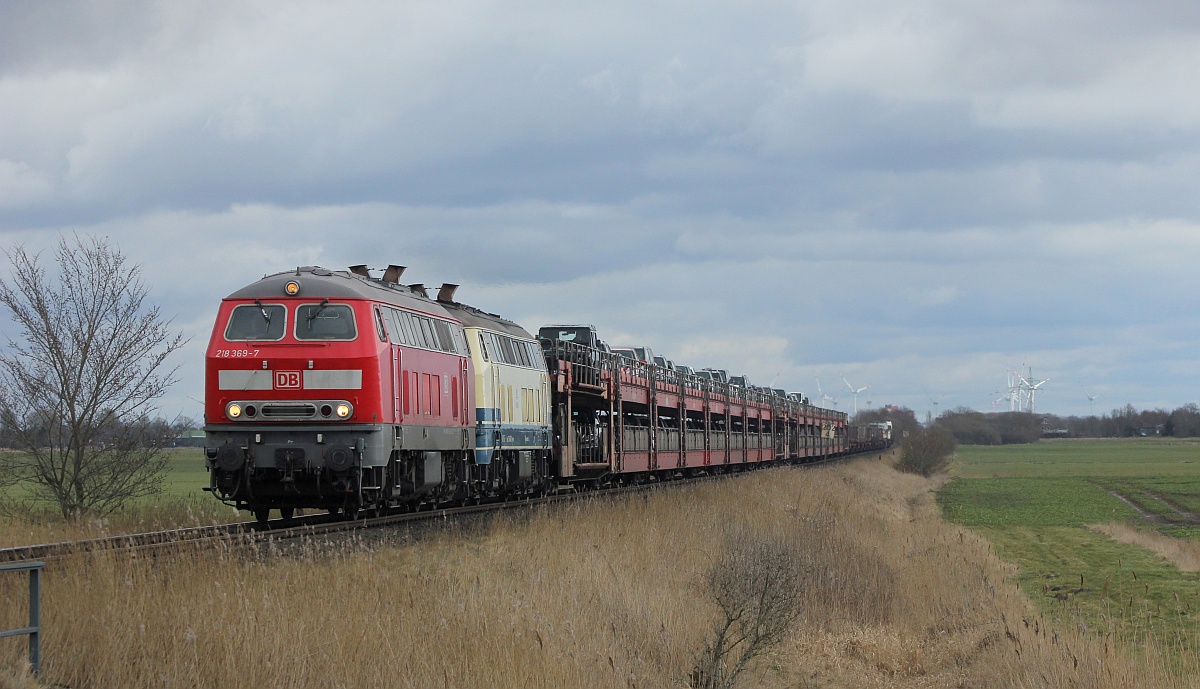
79, 385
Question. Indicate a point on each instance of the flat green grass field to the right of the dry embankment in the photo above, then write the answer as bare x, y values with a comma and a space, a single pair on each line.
1036, 502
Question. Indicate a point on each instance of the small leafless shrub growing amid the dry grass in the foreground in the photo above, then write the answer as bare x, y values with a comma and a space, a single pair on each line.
758, 586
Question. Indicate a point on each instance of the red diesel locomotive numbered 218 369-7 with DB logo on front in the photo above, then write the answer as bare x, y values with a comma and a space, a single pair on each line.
334, 391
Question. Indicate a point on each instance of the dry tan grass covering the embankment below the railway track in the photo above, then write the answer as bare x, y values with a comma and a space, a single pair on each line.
599, 594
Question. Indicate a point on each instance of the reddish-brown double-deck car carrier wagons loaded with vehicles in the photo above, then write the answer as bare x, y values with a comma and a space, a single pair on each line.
619, 416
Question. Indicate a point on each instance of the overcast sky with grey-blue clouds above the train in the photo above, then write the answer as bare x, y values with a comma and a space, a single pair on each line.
917, 196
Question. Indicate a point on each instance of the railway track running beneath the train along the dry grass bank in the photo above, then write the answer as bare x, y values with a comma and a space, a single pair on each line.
249, 534
